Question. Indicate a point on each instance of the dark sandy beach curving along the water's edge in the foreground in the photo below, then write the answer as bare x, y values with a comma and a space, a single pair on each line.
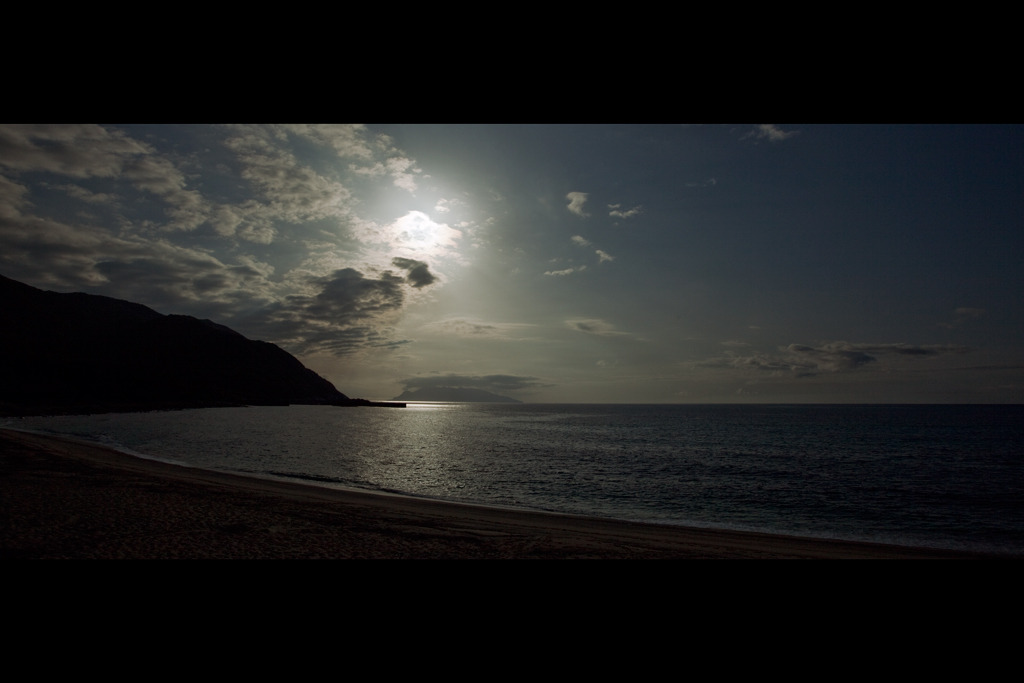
61, 499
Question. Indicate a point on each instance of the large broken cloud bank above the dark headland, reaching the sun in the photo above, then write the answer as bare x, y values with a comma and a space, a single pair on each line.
253, 226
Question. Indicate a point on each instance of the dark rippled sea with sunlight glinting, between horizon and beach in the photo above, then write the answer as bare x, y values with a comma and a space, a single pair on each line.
950, 477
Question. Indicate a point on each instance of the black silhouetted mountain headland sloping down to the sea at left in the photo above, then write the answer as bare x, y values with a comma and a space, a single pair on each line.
88, 354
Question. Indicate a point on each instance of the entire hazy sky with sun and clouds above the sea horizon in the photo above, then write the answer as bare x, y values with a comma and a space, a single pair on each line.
643, 264
